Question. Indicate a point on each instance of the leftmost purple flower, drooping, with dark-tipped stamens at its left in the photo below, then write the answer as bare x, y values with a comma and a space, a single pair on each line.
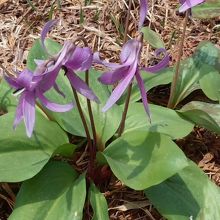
28, 84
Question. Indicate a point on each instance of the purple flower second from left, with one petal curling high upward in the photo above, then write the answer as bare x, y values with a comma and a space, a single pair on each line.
71, 58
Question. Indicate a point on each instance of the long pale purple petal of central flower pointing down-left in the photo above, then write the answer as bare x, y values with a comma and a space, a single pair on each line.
121, 87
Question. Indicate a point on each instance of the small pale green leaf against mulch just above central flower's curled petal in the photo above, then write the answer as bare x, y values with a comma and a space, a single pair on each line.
152, 38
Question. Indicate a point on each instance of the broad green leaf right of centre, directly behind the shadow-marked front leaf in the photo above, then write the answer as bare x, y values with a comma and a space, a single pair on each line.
163, 120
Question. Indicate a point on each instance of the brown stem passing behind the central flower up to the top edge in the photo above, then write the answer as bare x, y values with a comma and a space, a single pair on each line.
124, 115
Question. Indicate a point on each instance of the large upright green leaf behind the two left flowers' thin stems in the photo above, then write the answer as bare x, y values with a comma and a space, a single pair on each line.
106, 123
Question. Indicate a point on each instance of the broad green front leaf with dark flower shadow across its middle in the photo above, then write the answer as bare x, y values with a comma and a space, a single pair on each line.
142, 159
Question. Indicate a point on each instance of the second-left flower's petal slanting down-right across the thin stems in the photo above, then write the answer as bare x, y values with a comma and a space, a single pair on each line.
80, 86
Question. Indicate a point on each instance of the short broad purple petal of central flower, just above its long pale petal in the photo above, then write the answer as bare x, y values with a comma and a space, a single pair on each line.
109, 78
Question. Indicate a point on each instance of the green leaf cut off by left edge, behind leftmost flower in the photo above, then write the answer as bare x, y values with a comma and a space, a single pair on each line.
8, 102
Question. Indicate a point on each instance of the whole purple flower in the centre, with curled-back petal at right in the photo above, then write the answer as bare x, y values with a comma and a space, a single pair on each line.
126, 71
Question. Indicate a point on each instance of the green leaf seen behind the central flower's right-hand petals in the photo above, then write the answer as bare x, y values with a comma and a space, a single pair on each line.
151, 80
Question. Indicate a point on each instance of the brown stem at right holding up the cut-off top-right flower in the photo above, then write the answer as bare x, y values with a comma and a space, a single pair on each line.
177, 72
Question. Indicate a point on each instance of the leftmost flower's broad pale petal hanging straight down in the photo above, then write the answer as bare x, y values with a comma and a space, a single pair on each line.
29, 112
